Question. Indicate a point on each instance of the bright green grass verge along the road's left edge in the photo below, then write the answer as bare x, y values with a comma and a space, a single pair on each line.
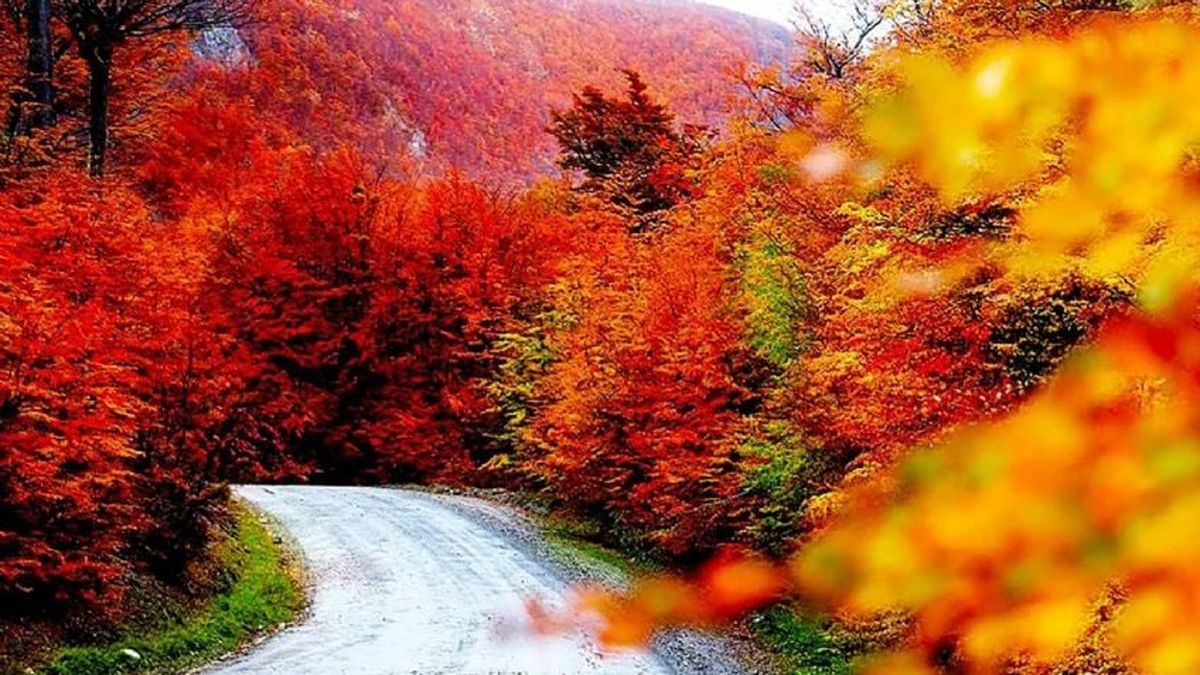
266, 594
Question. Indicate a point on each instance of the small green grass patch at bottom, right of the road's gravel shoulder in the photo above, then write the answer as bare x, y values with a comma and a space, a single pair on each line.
803, 643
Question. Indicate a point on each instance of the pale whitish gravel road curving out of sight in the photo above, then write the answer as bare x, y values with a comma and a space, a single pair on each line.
409, 583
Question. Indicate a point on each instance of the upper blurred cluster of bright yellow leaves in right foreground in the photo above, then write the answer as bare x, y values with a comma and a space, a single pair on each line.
1094, 136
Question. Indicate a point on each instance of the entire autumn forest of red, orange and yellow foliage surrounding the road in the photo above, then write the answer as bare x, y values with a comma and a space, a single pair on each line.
889, 325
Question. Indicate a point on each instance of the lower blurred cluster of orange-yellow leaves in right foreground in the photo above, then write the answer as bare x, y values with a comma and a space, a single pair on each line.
1006, 537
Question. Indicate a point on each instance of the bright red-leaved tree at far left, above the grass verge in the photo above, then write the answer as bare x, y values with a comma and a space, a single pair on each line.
97, 477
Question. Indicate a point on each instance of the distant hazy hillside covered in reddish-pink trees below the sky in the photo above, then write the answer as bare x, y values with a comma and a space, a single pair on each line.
471, 83
